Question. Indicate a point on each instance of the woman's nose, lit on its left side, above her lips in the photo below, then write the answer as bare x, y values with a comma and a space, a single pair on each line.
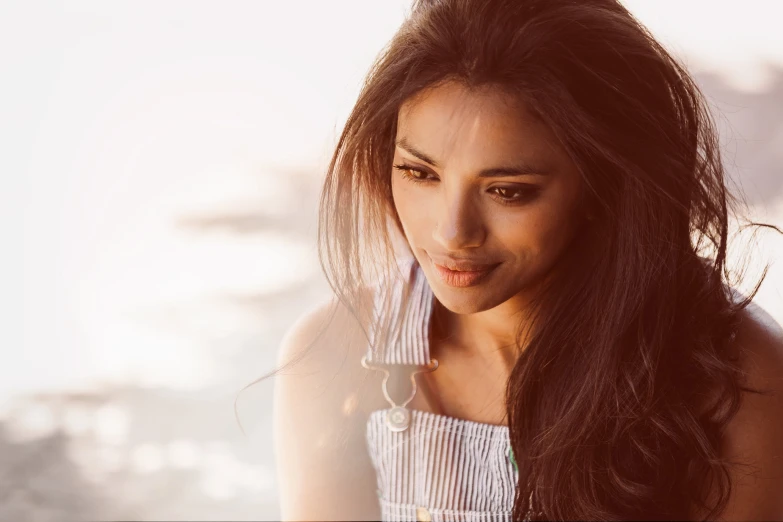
459, 226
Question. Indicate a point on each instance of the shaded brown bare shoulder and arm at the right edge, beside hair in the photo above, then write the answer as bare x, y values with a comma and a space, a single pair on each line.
754, 437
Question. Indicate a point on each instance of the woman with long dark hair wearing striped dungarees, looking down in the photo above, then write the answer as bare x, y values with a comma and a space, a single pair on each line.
553, 176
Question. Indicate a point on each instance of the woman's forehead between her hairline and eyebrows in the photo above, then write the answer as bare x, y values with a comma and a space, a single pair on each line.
451, 121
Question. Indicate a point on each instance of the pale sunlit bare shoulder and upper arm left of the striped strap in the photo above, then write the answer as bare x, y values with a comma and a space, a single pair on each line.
324, 470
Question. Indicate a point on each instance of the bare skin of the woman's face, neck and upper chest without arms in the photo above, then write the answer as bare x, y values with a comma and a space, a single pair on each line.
448, 136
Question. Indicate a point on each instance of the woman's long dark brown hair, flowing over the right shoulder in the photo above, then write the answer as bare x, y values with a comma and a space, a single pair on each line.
617, 403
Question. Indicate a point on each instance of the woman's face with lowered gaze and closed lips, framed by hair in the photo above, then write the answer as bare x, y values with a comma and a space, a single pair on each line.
476, 178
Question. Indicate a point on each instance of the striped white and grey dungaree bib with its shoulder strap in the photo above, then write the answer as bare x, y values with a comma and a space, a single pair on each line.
438, 467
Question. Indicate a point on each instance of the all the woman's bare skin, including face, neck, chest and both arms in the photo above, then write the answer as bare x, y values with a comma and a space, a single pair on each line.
321, 407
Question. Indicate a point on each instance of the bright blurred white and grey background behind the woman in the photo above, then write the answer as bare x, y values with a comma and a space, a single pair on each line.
161, 164
